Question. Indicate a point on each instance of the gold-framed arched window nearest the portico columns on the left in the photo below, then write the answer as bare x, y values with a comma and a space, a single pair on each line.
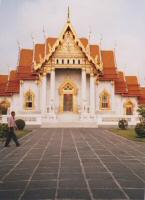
29, 100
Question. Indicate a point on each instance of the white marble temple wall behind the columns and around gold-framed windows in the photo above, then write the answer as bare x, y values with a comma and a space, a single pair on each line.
117, 101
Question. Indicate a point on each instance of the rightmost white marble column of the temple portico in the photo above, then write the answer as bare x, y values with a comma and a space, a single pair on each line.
92, 94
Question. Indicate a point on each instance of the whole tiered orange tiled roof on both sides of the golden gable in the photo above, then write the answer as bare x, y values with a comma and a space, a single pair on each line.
126, 86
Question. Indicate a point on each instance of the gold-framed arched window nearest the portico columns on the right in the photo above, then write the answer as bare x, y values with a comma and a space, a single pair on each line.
105, 100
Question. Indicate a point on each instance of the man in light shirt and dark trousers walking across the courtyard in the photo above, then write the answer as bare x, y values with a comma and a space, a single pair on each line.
11, 133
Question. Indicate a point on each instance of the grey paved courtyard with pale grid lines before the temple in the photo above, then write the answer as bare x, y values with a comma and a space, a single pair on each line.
72, 164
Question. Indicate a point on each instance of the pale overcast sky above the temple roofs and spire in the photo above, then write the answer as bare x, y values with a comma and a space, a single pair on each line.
120, 24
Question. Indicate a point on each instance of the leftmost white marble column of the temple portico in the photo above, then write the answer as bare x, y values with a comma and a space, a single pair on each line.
43, 99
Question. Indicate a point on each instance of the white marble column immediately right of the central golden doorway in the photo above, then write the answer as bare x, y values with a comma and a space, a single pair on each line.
83, 90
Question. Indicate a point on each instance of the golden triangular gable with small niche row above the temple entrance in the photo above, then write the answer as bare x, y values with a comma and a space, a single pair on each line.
69, 52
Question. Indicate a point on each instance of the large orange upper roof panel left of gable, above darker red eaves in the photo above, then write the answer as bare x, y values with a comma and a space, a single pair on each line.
26, 57
